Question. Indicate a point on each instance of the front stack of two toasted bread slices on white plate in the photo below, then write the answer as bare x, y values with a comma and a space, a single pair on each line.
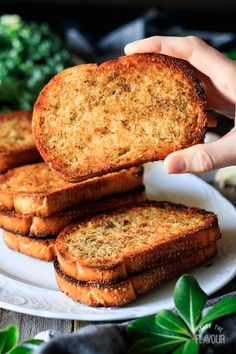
112, 258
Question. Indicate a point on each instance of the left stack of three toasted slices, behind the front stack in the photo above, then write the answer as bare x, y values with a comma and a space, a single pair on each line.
36, 204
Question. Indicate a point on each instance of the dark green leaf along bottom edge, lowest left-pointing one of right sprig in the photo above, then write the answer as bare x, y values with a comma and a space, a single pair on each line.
155, 345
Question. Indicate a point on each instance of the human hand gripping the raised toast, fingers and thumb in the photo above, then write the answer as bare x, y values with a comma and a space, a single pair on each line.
218, 74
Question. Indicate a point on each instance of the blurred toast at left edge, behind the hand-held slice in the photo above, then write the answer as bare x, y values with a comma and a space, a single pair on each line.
17, 145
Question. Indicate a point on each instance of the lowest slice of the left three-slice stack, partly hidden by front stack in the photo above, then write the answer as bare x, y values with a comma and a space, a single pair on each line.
39, 248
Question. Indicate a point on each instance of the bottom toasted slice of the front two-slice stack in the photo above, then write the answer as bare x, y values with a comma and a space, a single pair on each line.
121, 293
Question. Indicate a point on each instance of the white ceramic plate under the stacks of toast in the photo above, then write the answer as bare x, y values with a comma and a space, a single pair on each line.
28, 285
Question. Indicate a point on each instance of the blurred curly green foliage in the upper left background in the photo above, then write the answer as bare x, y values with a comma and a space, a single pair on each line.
30, 54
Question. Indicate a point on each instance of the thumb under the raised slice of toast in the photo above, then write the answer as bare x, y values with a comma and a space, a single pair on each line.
204, 157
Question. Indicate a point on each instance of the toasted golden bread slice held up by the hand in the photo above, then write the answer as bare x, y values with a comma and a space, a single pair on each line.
90, 120
